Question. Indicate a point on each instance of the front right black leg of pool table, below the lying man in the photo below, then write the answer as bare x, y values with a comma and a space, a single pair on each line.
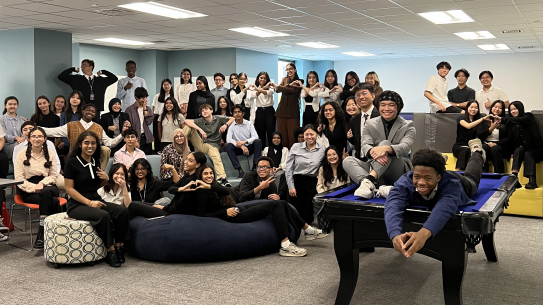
453, 264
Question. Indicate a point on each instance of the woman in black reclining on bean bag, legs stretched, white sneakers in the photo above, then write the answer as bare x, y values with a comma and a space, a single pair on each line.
213, 200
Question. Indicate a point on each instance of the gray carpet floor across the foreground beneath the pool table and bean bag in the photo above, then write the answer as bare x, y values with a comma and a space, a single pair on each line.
385, 276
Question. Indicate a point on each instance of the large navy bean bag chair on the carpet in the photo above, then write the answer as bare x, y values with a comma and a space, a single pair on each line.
191, 239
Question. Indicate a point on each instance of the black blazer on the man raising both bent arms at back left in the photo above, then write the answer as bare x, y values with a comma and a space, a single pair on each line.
80, 82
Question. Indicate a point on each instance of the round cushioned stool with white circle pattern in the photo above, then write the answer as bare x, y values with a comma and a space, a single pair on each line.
69, 241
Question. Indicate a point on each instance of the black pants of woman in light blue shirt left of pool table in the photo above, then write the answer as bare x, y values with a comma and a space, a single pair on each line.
306, 189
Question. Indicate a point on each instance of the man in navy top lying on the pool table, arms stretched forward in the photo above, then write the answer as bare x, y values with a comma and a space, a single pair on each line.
431, 186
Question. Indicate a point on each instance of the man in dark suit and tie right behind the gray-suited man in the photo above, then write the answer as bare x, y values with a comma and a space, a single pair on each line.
364, 97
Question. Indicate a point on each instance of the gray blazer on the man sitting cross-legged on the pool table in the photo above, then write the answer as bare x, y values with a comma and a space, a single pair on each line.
401, 136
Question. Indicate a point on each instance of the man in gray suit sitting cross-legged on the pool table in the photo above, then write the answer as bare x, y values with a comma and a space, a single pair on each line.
386, 142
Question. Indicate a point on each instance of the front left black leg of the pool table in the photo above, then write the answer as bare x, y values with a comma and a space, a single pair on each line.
347, 259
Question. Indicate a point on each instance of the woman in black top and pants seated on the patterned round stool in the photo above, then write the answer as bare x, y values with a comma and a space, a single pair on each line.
83, 177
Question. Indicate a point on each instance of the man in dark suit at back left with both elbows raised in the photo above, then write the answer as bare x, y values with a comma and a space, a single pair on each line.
92, 86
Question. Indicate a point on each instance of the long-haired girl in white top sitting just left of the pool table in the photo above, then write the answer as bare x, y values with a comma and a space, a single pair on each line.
331, 173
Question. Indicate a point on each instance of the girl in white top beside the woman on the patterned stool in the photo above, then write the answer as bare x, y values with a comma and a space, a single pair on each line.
115, 190
